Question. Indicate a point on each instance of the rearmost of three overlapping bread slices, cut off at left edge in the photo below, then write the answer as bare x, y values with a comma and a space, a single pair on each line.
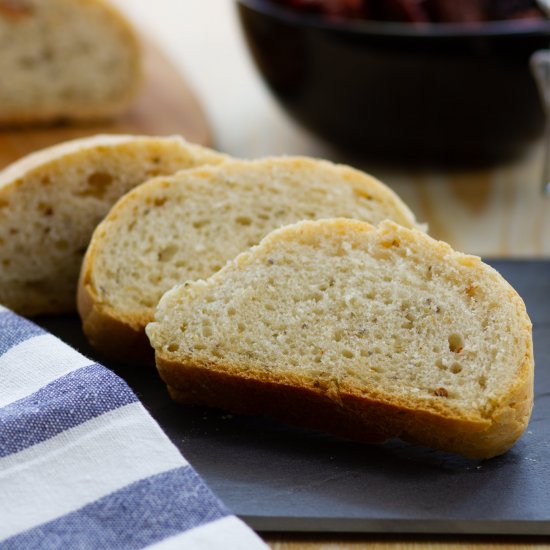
51, 201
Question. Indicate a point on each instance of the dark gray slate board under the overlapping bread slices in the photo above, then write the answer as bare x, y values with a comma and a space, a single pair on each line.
278, 478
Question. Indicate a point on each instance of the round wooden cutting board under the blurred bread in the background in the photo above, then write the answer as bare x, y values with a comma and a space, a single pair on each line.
165, 106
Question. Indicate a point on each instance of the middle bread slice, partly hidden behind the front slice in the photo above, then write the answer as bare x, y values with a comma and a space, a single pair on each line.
188, 226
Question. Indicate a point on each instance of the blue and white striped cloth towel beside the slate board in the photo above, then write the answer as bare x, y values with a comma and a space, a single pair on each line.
83, 465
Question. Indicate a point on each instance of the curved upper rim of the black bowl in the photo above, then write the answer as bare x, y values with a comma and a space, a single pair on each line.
508, 27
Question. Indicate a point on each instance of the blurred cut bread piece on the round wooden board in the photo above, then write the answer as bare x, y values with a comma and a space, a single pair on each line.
65, 59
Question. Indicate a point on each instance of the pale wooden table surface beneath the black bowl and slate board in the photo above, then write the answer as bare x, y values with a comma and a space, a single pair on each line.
494, 212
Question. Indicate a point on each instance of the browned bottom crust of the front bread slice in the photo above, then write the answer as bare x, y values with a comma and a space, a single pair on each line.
351, 415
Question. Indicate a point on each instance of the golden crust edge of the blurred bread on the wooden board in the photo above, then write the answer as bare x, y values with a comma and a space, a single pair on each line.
86, 111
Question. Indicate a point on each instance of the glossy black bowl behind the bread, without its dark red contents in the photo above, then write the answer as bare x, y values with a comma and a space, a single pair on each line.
443, 92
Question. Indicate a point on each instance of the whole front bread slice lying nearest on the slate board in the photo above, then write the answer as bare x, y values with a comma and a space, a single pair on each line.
366, 332
